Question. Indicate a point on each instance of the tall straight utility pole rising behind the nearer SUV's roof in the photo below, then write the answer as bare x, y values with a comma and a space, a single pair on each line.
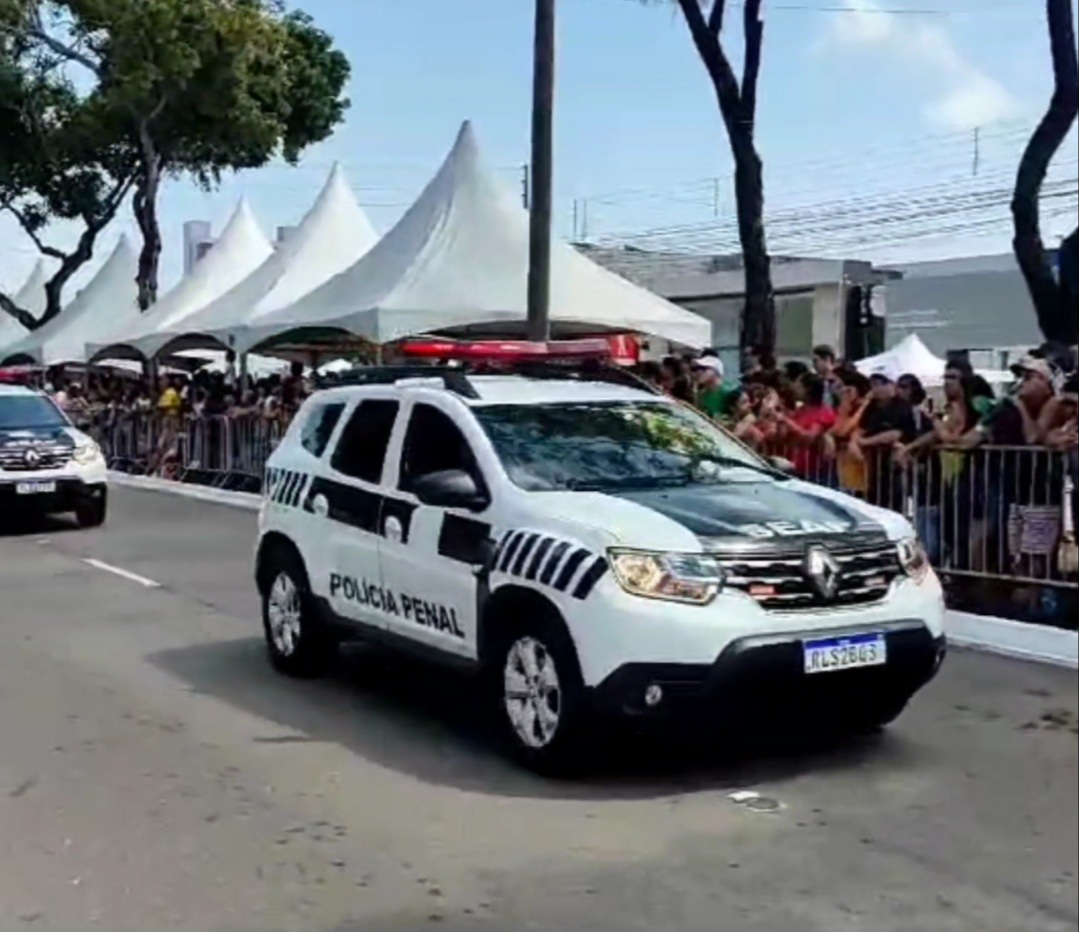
542, 174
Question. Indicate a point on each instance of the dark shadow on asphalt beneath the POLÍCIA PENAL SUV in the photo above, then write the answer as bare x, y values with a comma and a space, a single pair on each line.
429, 724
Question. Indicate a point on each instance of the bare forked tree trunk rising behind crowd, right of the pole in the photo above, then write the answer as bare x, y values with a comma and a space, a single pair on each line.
737, 103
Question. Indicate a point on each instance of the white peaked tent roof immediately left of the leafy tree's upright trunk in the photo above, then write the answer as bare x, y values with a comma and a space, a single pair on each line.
108, 303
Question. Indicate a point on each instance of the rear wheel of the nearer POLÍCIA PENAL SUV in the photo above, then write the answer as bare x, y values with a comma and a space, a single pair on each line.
298, 643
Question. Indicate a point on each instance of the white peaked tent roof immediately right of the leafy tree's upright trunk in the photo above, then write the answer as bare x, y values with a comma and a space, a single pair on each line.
242, 249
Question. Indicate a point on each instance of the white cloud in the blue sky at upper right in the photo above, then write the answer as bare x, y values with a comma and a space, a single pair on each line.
965, 98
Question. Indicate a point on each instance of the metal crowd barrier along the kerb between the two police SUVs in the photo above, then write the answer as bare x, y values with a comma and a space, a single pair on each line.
222, 451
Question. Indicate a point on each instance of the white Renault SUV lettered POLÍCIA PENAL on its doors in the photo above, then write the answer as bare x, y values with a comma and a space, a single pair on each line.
594, 549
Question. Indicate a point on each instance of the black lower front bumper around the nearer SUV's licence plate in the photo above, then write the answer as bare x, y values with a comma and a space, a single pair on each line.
763, 678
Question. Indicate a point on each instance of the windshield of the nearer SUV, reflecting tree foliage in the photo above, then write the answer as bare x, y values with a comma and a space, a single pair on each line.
610, 446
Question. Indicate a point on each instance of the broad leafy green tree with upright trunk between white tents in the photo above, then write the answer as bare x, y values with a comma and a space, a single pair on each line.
196, 88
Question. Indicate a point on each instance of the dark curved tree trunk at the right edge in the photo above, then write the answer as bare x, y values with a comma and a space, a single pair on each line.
1054, 304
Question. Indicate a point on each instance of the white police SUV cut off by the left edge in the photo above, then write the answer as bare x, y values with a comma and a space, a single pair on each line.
47, 467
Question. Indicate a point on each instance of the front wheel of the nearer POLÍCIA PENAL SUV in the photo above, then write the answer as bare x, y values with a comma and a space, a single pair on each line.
544, 721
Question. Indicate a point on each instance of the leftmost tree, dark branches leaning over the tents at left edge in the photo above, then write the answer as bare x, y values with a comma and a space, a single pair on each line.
60, 160
